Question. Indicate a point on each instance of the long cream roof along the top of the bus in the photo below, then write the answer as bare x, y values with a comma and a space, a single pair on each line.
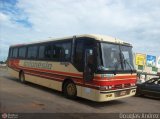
95, 36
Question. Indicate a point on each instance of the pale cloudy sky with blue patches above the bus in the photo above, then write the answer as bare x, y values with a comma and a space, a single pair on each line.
133, 21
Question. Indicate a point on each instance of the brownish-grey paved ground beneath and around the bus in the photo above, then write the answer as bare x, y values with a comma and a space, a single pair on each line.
16, 97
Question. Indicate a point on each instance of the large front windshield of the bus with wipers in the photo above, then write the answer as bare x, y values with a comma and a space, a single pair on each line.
117, 57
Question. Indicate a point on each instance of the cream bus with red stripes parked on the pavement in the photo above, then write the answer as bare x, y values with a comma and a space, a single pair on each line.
95, 67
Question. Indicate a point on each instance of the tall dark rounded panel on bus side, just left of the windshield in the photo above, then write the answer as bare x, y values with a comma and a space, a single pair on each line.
88, 66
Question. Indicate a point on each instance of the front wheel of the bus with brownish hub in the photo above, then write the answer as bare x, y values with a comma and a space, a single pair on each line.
70, 90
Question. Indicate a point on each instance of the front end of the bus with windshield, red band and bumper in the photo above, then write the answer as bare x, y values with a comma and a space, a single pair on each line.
116, 75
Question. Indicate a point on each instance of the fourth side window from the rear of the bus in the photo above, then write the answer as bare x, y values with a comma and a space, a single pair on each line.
32, 52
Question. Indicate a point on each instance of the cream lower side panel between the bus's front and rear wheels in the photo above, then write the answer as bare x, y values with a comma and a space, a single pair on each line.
53, 84
